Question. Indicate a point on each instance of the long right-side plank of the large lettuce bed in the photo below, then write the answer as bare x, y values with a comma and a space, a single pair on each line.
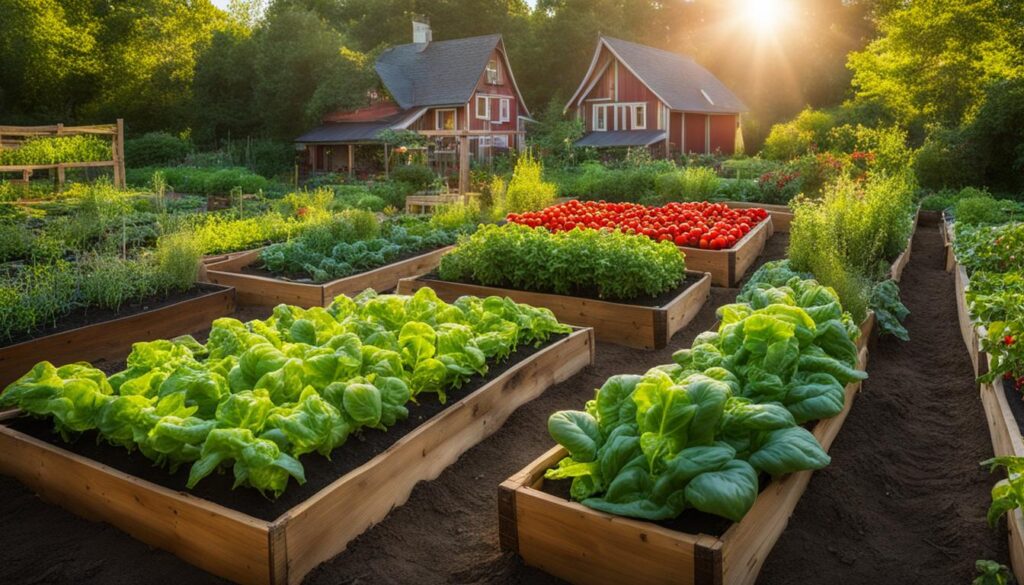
323, 526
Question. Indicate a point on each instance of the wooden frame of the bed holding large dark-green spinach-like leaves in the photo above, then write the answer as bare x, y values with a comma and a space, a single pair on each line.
585, 547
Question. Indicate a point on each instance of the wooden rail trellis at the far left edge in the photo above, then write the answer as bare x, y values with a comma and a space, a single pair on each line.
13, 137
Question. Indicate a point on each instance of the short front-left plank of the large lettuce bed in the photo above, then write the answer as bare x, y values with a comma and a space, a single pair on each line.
215, 538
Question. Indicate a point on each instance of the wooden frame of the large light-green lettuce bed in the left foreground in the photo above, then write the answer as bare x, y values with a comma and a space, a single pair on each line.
249, 551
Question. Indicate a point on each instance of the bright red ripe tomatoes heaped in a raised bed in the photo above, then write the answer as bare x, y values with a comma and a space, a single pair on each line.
709, 226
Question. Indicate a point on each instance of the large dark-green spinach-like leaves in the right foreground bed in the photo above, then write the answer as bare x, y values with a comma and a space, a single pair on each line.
697, 434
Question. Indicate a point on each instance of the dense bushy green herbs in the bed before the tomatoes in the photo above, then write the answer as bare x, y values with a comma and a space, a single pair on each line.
581, 263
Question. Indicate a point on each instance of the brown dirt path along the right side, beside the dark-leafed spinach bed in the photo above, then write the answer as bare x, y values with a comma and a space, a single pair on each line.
905, 499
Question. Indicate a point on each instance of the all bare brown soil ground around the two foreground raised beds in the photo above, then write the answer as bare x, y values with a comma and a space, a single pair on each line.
904, 503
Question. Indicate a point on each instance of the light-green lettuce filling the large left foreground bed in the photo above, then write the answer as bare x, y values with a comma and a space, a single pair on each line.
260, 396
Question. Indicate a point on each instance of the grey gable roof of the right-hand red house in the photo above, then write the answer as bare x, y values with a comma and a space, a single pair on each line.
677, 80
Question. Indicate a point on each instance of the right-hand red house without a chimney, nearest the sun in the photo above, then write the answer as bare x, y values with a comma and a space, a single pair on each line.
635, 96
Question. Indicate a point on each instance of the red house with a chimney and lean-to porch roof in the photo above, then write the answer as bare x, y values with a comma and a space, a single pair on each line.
459, 94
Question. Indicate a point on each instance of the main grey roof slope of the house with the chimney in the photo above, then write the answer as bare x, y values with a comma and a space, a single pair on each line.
445, 73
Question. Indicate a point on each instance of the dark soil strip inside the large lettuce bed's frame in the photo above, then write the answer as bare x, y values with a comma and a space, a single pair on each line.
320, 472
